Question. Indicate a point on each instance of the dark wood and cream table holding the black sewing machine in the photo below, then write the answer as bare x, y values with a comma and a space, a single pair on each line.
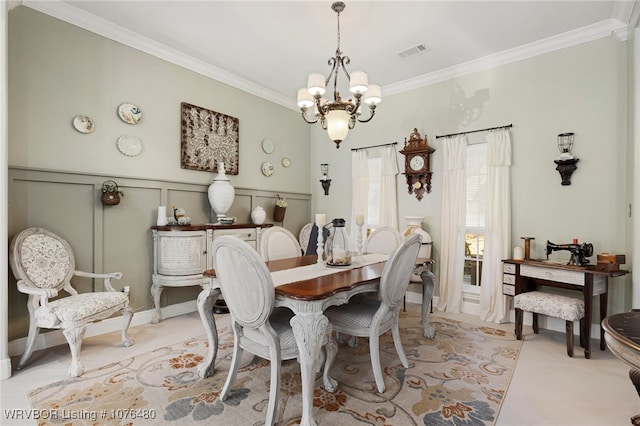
527, 275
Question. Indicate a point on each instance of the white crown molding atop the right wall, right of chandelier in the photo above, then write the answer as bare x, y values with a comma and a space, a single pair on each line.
550, 44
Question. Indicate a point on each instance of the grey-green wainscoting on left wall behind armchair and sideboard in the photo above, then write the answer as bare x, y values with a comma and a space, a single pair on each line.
118, 238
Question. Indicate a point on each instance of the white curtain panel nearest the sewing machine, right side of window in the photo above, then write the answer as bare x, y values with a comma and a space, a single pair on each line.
497, 240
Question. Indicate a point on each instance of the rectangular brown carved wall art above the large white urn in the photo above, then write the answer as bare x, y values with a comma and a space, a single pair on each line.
208, 137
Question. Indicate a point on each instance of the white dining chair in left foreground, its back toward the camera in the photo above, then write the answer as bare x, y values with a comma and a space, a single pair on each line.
248, 289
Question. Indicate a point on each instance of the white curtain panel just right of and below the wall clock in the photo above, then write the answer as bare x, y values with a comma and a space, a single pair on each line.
454, 211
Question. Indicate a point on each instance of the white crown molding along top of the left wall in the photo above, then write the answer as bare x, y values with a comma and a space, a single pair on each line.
95, 24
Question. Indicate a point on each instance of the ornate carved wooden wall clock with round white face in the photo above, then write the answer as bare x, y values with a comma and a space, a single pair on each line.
417, 168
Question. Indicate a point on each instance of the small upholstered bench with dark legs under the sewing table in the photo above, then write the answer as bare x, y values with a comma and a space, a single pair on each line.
567, 308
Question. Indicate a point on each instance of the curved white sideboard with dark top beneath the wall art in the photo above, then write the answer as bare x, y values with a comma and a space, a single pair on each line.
182, 253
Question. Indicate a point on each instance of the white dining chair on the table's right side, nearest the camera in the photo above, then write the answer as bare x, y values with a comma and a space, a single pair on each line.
368, 317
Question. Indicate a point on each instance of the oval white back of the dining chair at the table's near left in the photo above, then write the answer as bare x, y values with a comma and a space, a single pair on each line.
245, 281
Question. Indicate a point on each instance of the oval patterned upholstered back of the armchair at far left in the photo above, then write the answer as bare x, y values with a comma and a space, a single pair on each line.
41, 259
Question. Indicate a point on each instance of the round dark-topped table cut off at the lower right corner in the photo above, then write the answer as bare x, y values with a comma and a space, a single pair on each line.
622, 335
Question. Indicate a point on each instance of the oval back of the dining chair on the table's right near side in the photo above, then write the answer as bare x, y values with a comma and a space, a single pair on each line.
397, 271
